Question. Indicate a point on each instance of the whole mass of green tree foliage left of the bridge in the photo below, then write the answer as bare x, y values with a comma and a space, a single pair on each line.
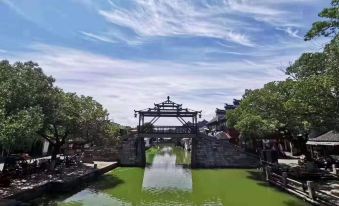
32, 107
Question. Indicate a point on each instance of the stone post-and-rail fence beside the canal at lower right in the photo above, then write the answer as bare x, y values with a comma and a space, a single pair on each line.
307, 191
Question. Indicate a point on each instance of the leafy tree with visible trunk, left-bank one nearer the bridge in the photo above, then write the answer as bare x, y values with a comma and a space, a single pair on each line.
69, 117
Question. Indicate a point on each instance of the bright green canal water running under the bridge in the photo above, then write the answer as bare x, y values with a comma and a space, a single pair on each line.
168, 181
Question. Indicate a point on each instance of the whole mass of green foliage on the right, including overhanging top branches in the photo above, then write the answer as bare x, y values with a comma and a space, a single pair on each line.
307, 101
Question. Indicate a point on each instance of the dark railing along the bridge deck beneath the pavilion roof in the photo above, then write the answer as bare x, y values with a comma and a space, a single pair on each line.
170, 130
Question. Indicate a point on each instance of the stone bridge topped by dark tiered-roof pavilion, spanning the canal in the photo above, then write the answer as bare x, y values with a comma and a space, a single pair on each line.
207, 151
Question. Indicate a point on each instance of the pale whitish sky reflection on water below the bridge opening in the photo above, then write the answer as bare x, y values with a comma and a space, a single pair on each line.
165, 174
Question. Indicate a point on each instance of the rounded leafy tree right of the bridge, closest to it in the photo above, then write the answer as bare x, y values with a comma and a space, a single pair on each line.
271, 112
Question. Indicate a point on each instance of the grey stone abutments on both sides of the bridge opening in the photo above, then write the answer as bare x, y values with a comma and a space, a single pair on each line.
207, 152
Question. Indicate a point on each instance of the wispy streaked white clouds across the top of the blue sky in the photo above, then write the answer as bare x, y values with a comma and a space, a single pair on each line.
225, 19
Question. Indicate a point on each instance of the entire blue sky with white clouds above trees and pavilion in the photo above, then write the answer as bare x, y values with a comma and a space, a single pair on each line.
129, 54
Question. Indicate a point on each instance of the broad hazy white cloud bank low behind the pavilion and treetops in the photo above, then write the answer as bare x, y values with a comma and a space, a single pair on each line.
122, 86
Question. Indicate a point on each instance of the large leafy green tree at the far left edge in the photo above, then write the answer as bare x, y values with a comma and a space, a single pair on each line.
21, 86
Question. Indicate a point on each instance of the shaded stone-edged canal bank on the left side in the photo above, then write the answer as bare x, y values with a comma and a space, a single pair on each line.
65, 181
